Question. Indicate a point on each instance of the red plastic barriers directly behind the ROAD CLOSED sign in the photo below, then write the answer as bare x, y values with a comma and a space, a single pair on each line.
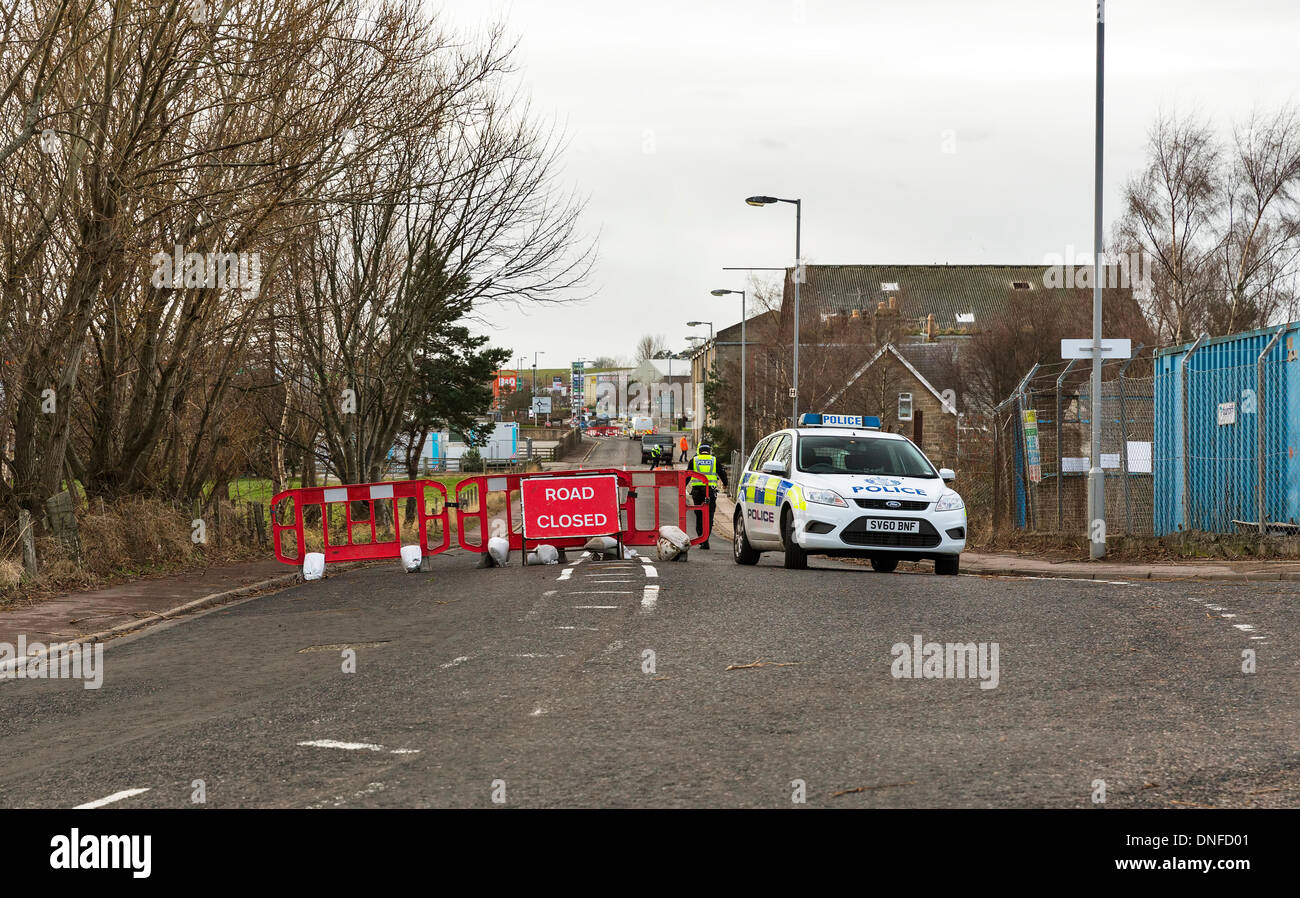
488, 506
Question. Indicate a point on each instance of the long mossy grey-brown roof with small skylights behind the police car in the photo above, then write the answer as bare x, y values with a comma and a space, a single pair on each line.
963, 298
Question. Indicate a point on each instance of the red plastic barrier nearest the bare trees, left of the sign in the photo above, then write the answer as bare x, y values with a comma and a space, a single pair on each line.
384, 505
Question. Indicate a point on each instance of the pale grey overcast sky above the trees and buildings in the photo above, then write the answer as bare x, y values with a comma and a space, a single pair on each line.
915, 132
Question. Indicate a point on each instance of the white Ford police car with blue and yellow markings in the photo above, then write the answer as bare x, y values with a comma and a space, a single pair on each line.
839, 487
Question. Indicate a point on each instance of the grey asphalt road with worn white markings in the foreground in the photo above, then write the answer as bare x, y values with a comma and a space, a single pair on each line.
534, 687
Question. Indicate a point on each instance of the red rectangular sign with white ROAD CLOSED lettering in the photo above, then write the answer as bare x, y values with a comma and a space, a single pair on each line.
558, 507
